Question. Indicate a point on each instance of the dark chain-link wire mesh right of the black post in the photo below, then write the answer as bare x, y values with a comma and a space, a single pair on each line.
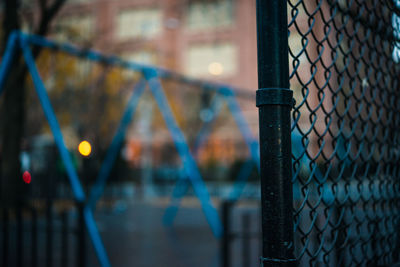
345, 78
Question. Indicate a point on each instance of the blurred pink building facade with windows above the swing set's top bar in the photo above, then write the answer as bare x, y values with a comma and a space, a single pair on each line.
212, 39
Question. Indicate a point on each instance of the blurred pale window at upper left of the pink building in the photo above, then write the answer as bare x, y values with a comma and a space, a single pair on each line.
138, 23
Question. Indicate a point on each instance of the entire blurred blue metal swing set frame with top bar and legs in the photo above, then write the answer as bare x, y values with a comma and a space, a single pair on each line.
152, 74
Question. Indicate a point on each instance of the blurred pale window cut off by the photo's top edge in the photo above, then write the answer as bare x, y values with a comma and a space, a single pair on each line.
204, 15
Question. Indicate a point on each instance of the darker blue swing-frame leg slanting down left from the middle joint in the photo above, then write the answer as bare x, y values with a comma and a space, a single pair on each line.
116, 143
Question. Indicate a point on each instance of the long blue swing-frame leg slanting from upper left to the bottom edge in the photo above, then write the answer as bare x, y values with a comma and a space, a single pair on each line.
71, 172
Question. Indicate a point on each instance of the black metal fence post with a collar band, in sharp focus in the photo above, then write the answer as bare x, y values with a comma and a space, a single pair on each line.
275, 100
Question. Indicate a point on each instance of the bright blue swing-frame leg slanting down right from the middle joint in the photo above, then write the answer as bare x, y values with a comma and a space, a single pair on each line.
182, 147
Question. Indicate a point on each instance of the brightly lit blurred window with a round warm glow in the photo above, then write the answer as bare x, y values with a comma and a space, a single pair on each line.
211, 59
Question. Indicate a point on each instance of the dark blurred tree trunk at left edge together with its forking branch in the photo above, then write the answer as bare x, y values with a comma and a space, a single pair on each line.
13, 112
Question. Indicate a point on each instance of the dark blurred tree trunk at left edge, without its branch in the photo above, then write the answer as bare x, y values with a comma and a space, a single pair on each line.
12, 114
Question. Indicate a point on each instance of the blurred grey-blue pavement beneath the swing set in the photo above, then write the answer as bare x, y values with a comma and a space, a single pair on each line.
134, 235
